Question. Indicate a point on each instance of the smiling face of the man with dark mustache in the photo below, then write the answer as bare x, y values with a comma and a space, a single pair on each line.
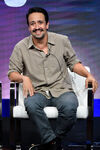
37, 25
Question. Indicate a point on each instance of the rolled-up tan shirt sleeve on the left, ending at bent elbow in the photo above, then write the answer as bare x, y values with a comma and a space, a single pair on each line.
15, 61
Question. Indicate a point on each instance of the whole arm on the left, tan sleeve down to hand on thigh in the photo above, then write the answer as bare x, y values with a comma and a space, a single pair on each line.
15, 70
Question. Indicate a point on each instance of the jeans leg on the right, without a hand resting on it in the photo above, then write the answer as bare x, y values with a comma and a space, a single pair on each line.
67, 105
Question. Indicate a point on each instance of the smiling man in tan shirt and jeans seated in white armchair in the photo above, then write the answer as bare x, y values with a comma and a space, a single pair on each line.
40, 62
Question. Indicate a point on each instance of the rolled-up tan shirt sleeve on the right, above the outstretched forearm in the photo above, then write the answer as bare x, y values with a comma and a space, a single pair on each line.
69, 54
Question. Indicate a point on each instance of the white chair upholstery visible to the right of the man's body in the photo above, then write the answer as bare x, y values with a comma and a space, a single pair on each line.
78, 84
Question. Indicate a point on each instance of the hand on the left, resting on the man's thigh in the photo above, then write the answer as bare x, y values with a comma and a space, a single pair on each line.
28, 88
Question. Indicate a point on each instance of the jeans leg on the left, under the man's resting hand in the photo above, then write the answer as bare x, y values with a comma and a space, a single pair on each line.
34, 106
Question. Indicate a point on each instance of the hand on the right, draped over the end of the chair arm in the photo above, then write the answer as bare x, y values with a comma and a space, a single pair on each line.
91, 79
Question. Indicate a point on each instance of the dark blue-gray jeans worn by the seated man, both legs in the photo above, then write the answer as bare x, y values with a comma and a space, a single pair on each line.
67, 106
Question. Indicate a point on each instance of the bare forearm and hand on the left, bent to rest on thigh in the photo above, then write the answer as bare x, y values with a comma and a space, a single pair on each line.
27, 83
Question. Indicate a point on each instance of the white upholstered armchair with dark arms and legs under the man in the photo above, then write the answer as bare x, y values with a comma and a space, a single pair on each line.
84, 110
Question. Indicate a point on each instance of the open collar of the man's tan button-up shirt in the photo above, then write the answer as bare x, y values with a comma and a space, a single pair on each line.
51, 40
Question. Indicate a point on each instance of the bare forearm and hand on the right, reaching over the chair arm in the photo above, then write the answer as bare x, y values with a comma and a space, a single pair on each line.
81, 70
